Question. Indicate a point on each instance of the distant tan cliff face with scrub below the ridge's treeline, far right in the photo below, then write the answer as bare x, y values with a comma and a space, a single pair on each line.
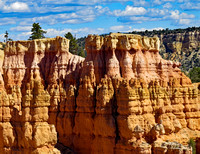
182, 47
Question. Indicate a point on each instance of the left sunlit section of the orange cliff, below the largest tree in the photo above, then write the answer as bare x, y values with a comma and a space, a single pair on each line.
29, 68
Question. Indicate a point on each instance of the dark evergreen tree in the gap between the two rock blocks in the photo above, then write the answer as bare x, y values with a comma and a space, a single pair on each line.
73, 46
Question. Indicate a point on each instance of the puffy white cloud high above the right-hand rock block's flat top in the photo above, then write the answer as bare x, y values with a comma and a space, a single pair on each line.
130, 11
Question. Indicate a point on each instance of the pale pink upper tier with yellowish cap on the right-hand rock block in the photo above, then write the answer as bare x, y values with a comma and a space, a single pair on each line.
129, 56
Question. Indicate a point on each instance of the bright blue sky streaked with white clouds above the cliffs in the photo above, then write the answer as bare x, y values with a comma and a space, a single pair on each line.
83, 17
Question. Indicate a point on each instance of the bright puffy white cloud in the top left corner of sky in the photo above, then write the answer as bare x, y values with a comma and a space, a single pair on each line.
16, 7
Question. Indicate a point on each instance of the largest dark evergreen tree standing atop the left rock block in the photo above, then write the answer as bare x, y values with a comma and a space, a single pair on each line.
37, 32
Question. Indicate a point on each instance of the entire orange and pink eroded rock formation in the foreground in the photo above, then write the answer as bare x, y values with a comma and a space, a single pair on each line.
123, 98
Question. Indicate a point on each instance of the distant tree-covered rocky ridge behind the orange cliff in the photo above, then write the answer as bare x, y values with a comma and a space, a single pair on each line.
176, 45
